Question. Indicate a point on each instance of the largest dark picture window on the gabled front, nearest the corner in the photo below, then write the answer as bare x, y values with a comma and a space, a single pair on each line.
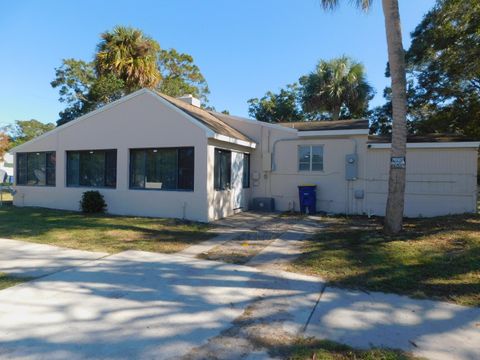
162, 168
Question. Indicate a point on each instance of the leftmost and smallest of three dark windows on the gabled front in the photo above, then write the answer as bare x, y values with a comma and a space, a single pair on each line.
36, 168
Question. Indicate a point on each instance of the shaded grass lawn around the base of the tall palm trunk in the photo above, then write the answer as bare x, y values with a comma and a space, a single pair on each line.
437, 258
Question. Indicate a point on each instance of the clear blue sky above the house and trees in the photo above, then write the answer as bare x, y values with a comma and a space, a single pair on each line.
243, 48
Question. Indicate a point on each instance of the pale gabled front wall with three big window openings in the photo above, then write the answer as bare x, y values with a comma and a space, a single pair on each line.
139, 122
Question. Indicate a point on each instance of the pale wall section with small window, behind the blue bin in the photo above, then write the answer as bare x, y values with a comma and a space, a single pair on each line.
280, 144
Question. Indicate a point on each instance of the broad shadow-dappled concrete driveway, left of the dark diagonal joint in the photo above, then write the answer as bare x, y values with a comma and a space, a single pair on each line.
138, 305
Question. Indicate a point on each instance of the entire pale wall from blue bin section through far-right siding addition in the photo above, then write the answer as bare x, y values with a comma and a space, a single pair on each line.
439, 181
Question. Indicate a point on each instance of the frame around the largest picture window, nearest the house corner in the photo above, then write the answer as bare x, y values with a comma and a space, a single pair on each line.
177, 148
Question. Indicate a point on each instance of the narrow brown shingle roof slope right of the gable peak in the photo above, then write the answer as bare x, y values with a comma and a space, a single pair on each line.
206, 118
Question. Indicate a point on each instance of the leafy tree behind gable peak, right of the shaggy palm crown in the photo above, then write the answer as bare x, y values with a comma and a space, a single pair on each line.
180, 75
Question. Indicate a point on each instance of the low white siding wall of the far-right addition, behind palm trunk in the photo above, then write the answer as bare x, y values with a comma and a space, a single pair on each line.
439, 181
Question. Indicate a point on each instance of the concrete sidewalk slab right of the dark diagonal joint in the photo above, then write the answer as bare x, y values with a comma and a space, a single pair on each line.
430, 329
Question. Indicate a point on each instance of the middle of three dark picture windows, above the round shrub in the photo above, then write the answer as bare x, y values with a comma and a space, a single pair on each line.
92, 168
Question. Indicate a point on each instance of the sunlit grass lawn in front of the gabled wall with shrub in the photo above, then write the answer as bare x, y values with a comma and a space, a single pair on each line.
105, 233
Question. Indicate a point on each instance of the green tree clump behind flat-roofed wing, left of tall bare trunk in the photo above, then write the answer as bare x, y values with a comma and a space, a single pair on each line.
337, 89
